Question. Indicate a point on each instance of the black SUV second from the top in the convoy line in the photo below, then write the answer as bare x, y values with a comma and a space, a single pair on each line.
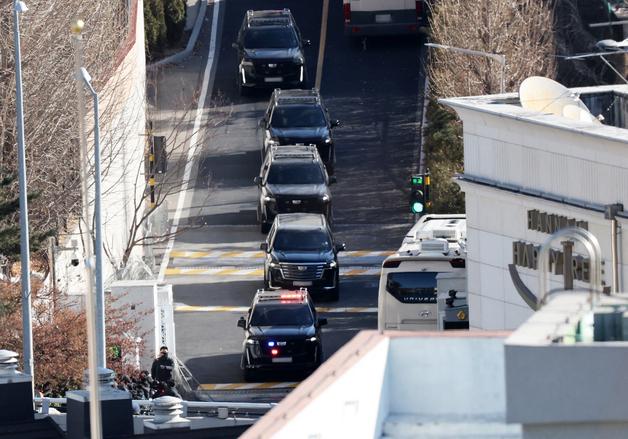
299, 116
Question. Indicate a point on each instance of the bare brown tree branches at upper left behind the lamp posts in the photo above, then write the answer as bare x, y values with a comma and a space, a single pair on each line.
49, 97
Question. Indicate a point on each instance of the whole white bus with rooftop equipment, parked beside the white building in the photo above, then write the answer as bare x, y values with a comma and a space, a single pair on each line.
407, 285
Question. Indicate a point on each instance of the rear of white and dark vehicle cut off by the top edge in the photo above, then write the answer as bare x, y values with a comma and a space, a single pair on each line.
383, 17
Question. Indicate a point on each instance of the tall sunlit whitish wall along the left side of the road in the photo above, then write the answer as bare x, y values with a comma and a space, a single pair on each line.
122, 123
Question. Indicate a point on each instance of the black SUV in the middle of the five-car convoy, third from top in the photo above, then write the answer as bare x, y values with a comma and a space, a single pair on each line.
292, 179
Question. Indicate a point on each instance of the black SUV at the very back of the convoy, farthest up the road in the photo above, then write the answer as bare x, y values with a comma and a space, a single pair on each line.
270, 51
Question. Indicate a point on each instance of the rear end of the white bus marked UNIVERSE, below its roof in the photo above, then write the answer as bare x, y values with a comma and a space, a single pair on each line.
407, 291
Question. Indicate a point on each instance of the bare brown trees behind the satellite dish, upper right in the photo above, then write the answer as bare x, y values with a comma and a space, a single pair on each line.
521, 30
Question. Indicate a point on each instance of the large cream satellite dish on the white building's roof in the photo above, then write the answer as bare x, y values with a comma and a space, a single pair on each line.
545, 95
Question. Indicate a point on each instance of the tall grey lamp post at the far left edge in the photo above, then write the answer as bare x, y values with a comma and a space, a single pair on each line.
27, 327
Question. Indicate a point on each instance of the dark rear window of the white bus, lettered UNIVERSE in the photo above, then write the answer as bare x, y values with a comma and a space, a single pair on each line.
412, 287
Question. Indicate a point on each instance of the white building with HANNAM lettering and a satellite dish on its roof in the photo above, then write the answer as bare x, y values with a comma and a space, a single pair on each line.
528, 173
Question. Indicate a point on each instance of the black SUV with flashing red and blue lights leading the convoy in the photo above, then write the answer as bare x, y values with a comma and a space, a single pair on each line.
282, 332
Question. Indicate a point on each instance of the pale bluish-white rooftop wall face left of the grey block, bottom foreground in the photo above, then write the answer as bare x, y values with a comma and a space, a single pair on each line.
447, 379
